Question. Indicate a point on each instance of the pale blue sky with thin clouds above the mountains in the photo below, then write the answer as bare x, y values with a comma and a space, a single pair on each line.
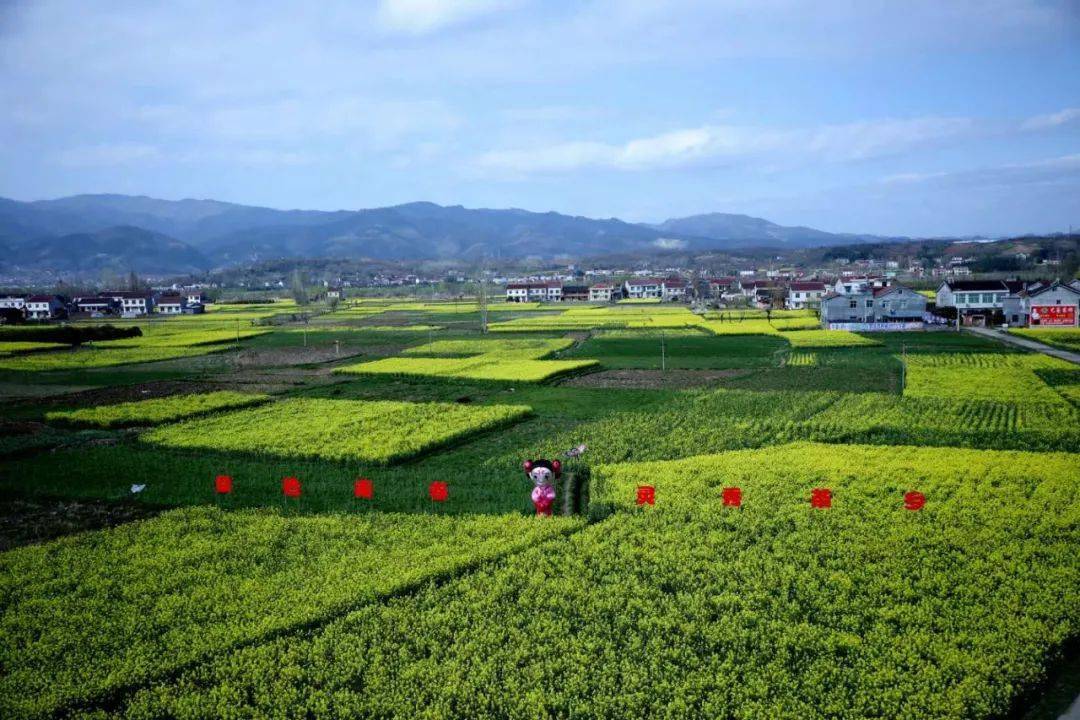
917, 118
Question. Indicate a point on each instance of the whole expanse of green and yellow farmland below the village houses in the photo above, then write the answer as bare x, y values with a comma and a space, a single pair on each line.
325, 514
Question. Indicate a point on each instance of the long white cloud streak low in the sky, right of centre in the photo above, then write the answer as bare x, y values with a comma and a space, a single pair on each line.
719, 144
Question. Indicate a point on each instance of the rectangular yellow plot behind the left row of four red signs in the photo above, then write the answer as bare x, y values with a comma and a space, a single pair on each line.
350, 431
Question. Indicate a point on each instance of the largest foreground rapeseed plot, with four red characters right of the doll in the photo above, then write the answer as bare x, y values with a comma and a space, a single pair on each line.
688, 609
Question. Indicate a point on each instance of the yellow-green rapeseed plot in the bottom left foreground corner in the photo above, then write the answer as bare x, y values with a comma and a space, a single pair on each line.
99, 613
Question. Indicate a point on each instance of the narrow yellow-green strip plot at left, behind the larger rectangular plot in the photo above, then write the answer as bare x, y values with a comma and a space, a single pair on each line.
155, 412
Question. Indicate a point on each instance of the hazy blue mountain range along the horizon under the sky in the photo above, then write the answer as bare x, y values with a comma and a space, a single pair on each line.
94, 233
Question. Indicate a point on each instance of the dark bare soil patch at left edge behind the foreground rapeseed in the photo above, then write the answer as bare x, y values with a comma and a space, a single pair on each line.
26, 521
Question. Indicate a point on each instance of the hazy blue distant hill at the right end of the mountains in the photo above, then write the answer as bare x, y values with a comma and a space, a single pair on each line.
746, 229
